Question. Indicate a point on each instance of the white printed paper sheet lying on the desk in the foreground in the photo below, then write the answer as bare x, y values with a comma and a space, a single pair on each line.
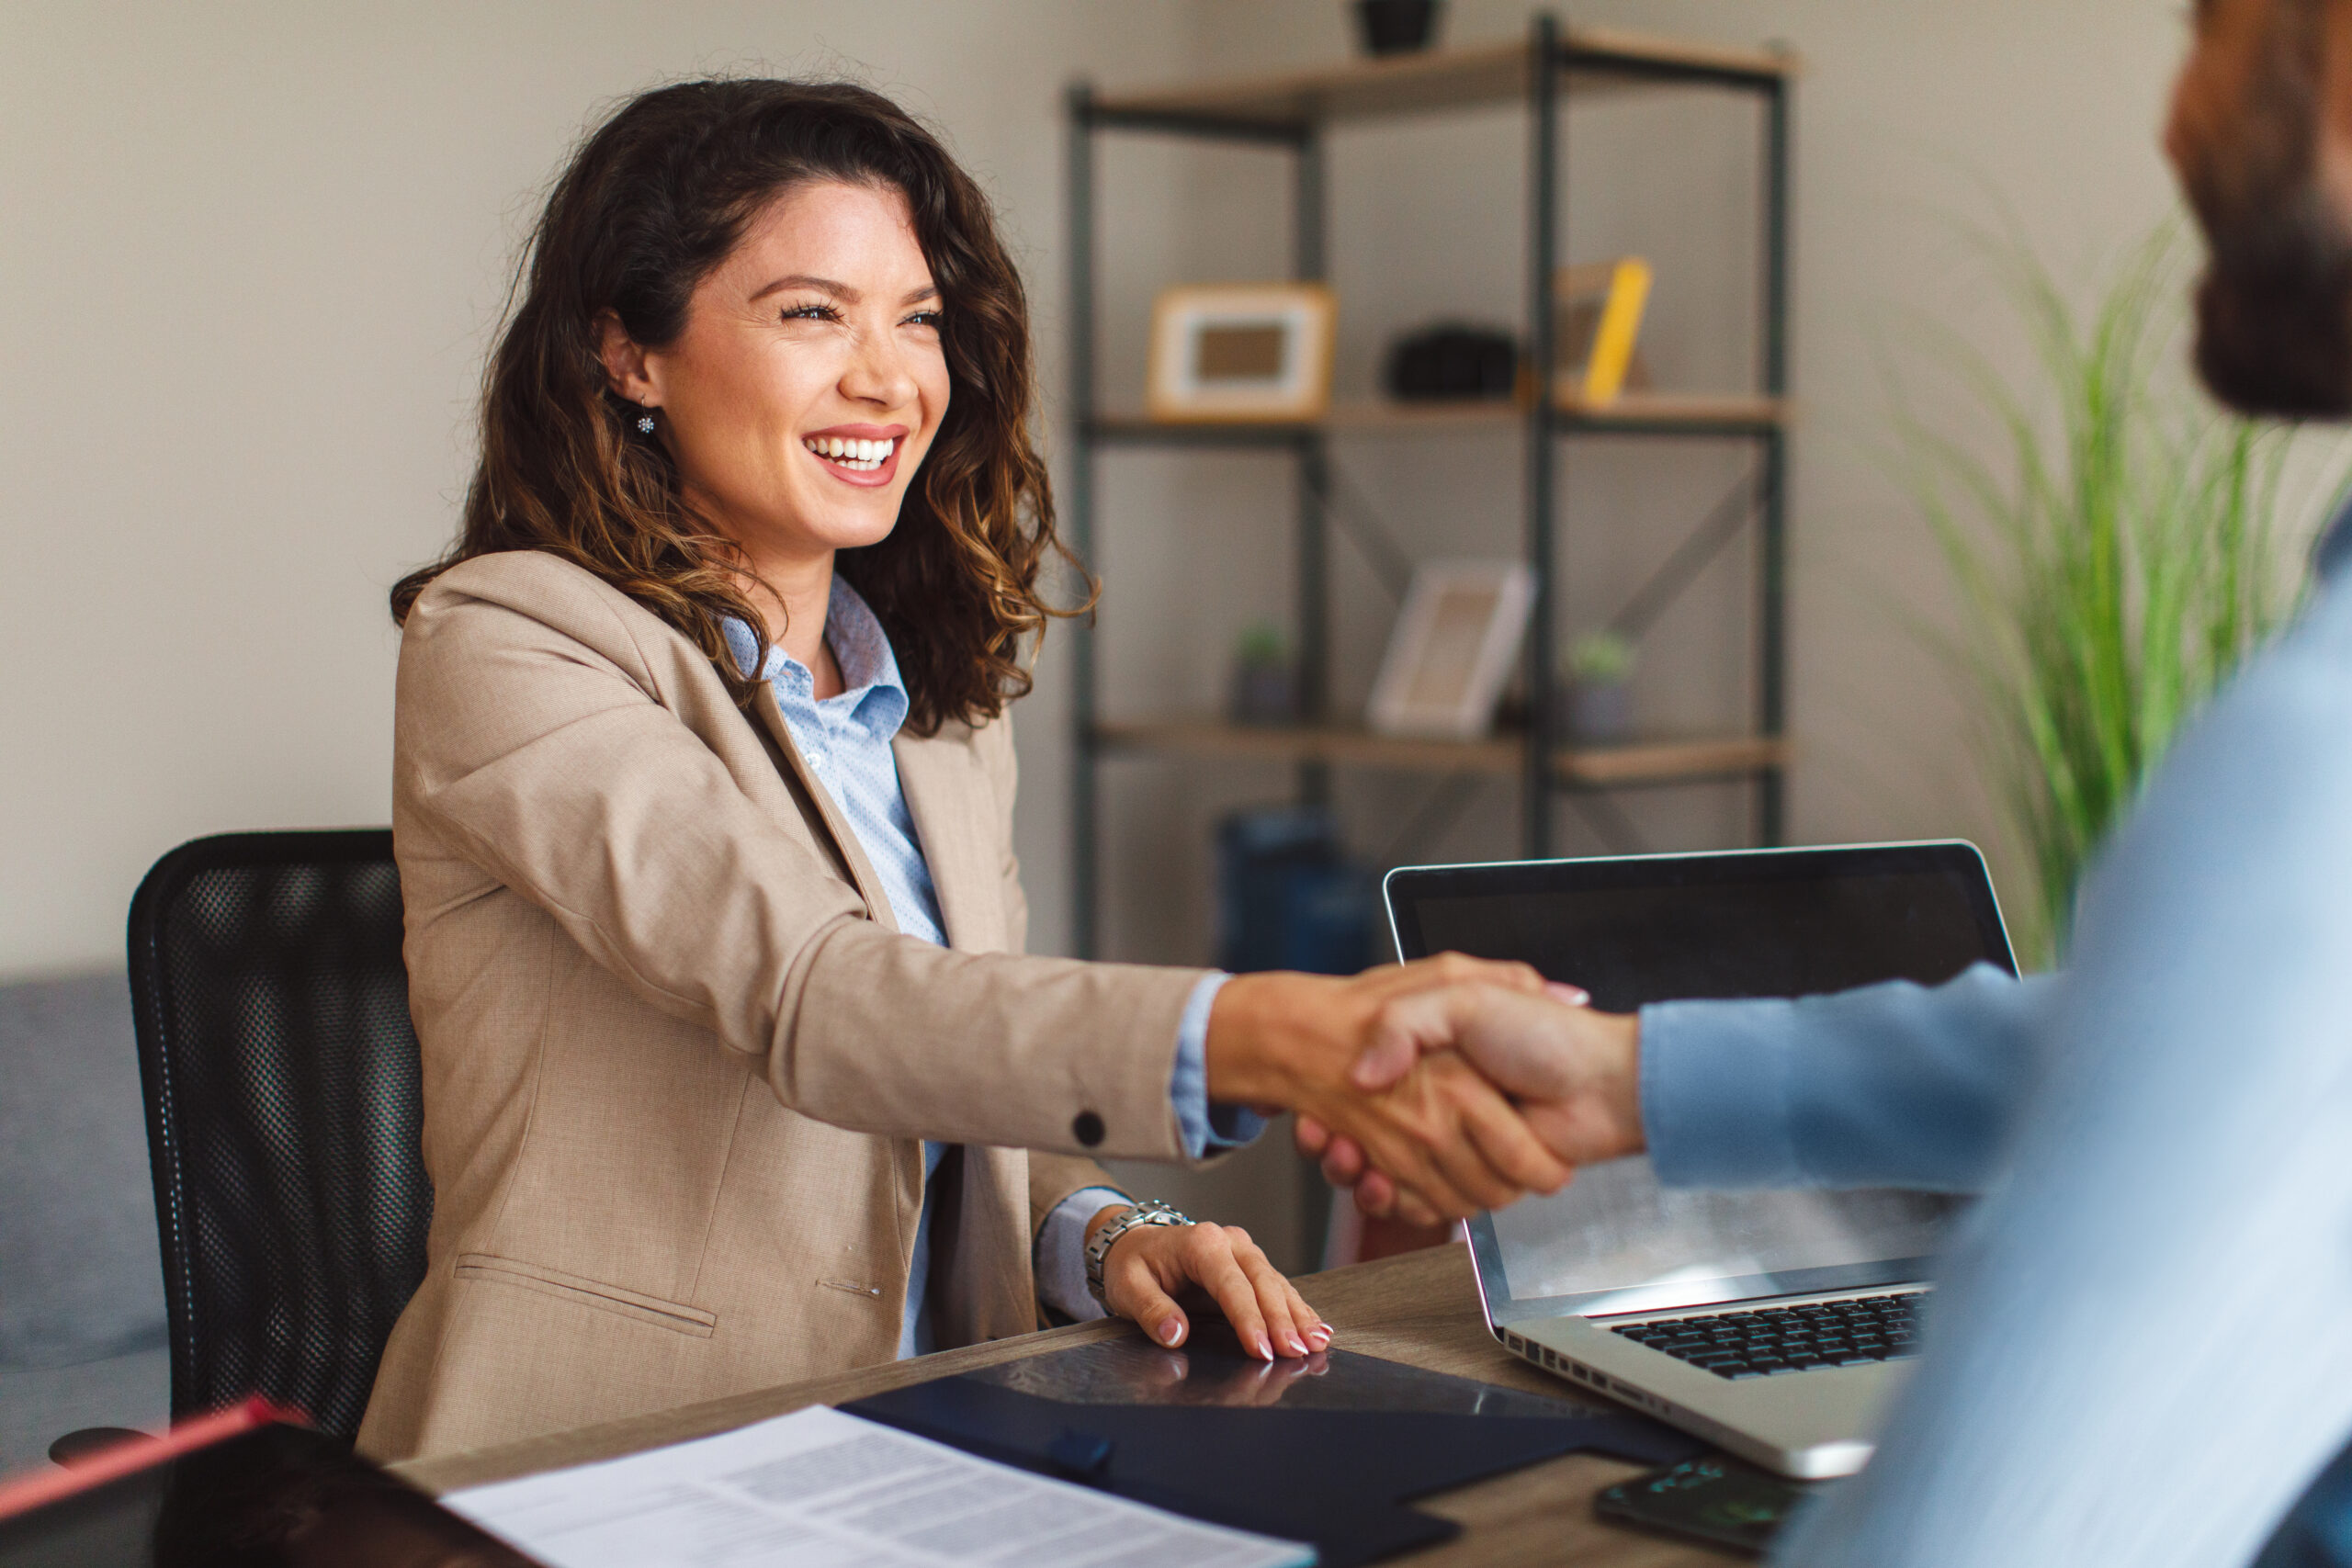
820, 1489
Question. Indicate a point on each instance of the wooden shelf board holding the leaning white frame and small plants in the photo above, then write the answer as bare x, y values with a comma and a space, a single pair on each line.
1610, 765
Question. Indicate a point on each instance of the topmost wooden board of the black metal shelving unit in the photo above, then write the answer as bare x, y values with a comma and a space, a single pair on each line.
1441, 79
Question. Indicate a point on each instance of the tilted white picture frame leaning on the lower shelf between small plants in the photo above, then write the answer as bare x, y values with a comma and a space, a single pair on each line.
1452, 650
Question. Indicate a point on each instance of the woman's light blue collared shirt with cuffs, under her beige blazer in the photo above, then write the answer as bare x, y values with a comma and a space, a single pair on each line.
848, 746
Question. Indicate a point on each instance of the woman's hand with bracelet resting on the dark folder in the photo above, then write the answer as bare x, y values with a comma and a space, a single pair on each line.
1154, 1264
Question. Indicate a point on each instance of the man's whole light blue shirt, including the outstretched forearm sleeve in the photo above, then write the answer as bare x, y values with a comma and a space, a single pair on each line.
2141, 1339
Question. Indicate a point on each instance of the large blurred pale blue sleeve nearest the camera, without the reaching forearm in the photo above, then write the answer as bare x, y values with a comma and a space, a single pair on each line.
2141, 1339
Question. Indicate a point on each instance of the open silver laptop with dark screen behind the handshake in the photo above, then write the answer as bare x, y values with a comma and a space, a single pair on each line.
1775, 1325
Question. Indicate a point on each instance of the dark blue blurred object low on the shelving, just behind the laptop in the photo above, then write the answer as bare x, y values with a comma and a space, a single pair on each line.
1288, 897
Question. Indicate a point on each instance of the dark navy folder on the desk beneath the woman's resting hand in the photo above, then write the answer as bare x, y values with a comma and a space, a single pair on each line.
1328, 1449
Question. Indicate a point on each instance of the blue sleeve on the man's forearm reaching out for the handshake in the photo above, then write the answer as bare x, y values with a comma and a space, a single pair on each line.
1878, 1087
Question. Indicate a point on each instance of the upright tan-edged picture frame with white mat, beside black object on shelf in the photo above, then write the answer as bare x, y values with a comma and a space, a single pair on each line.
1241, 354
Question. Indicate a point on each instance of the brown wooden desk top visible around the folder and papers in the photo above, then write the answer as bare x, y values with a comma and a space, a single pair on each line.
1419, 1308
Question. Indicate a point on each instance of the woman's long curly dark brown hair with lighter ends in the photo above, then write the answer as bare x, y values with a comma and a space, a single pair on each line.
653, 201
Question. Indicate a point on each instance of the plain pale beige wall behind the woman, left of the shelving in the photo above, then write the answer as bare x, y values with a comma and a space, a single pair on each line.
248, 267
